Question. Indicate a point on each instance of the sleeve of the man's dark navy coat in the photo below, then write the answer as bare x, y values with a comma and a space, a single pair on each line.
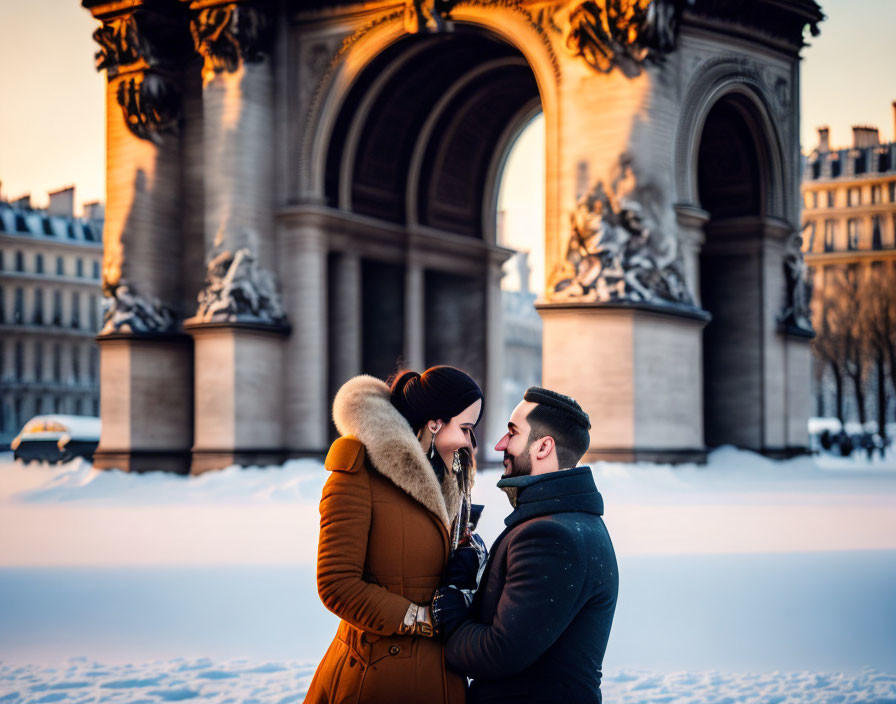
545, 578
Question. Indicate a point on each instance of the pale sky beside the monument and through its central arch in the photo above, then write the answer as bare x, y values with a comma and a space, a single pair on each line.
52, 103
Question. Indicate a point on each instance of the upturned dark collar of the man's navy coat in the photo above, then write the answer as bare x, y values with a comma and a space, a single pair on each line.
557, 492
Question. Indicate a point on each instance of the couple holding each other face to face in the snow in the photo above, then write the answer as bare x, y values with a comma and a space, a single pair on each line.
423, 607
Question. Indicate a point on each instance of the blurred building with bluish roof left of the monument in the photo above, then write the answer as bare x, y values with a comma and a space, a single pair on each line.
50, 310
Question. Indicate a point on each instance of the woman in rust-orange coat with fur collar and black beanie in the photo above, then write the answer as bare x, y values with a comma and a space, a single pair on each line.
386, 519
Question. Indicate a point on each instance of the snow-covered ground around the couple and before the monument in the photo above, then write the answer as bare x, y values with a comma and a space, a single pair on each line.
746, 580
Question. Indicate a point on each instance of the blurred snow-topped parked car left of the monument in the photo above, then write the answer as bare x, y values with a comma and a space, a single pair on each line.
57, 438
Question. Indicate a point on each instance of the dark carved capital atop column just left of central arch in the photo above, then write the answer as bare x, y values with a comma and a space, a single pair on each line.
228, 34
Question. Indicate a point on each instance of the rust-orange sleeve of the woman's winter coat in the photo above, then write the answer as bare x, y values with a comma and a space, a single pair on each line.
345, 513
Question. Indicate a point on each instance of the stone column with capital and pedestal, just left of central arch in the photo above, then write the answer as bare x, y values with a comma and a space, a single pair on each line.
239, 322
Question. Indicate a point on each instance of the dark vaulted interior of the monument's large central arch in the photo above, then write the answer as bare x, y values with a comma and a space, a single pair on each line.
415, 146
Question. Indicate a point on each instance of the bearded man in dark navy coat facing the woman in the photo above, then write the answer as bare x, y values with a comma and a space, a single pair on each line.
541, 618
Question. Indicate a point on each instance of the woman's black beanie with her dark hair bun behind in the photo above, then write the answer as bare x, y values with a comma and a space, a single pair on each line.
439, 393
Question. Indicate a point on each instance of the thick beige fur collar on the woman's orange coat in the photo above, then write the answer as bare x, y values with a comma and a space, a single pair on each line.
363, 410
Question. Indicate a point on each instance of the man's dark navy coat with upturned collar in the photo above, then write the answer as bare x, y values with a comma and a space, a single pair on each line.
542, 615
